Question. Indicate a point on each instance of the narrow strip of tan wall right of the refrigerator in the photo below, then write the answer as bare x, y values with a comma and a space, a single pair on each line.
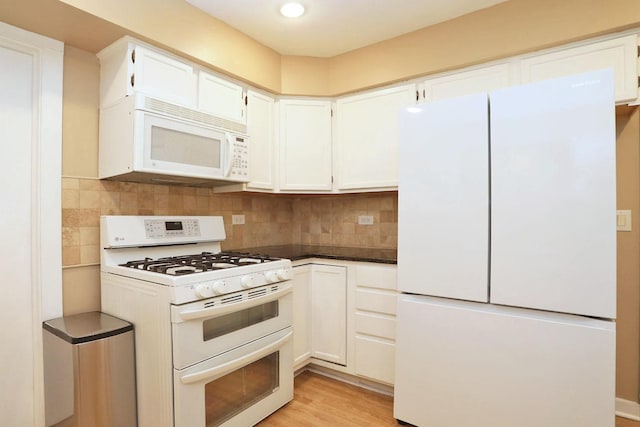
628, 197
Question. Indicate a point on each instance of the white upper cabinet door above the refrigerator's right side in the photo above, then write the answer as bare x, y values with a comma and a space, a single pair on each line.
619, 54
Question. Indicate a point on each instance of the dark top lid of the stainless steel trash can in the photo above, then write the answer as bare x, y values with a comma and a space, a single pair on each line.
85, 327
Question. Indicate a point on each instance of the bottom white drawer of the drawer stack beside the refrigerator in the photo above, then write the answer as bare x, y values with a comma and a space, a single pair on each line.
375, 359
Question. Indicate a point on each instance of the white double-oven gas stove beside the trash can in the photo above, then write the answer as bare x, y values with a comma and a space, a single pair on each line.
213, 330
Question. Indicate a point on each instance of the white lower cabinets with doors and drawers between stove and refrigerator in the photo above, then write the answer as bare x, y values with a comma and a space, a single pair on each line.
344, 318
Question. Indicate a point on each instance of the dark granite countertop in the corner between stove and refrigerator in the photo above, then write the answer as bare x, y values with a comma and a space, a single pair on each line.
298, 252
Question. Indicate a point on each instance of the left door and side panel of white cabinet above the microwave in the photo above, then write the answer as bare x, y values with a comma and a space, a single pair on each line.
128, 67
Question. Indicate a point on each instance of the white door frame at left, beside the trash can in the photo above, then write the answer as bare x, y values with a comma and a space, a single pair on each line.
46, 172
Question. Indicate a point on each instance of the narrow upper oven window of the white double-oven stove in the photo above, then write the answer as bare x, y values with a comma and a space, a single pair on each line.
231, 322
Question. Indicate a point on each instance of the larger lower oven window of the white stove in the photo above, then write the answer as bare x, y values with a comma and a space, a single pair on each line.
238, 390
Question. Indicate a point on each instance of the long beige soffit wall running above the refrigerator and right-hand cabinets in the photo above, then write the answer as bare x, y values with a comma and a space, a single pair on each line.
507, 29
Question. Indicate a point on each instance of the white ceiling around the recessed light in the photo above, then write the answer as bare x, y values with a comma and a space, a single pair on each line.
332, 27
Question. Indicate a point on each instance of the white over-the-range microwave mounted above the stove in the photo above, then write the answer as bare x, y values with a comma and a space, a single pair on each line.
148, 140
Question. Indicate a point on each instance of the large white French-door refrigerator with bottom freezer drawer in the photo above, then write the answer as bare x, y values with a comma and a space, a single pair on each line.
507, 258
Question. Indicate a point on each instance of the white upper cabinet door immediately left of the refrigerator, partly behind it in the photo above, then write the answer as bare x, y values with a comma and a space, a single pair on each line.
367, 137
